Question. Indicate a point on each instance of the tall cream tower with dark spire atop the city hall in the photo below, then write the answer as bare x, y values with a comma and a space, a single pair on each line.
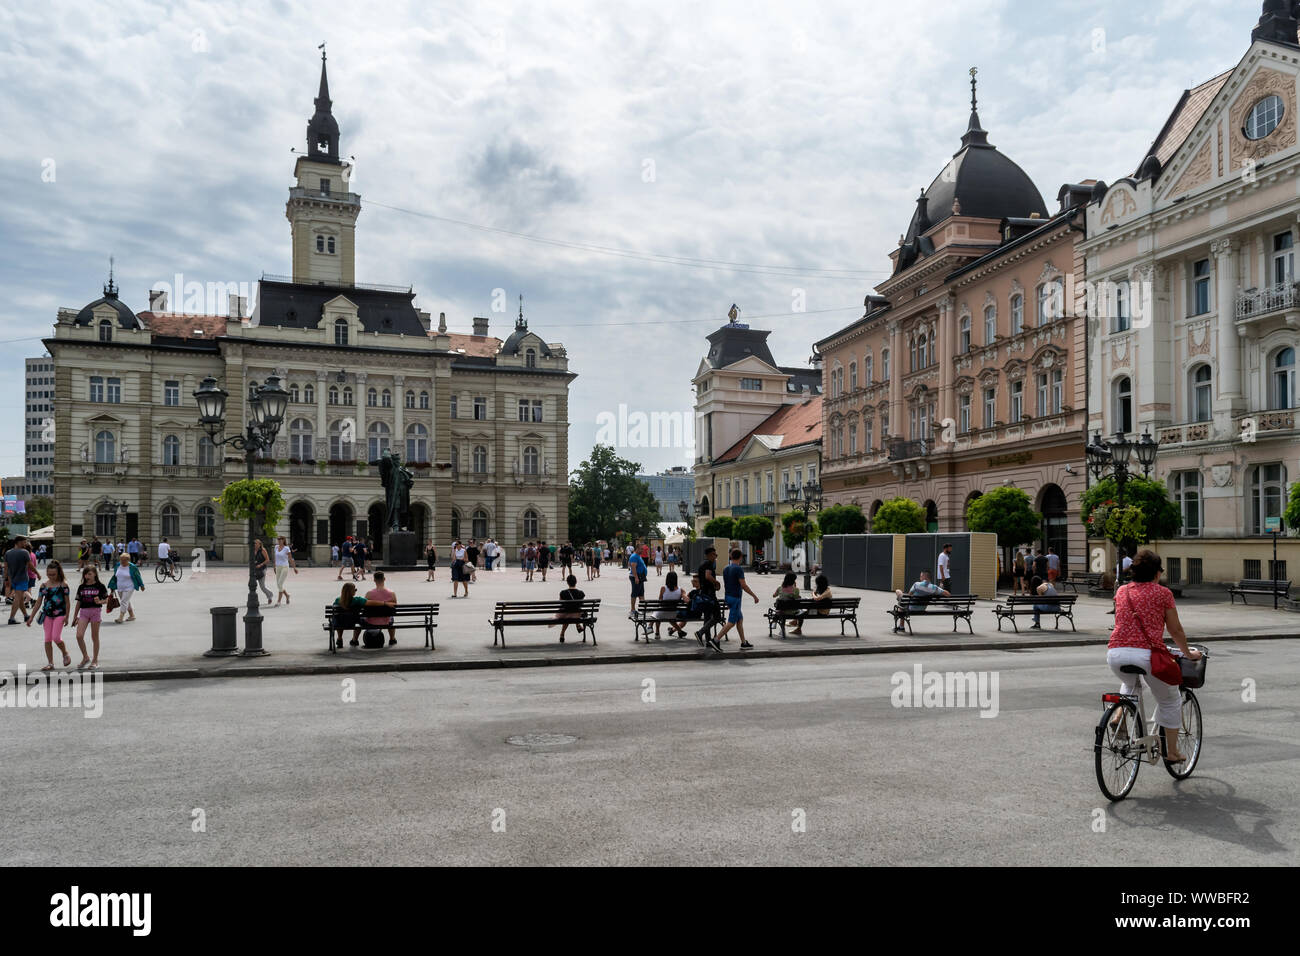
322, 211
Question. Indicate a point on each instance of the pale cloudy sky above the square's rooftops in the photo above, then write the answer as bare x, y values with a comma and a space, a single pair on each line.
632, 170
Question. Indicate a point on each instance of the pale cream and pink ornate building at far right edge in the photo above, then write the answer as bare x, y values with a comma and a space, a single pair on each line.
1198, 345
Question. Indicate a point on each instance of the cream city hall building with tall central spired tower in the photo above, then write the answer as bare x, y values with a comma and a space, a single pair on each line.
483, 422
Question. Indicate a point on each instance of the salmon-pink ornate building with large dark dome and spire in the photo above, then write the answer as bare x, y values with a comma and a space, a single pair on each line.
967, 371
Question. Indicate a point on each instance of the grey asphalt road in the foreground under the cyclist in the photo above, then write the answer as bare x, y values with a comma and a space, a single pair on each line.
721, 768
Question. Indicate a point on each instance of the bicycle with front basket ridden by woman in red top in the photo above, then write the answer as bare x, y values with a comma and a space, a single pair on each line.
1119, 756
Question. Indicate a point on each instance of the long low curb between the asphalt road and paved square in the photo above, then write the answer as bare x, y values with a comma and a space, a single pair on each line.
272, 671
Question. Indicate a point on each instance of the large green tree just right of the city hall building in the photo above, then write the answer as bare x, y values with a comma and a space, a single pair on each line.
606, 499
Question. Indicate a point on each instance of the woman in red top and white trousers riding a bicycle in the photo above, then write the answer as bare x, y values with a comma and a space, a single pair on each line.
1143, 611
